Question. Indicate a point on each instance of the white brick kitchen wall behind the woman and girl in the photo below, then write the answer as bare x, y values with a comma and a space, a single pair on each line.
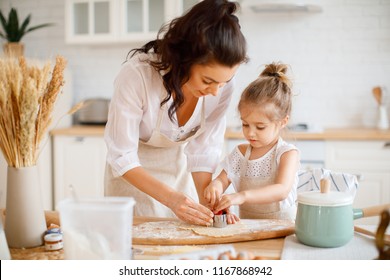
337, 56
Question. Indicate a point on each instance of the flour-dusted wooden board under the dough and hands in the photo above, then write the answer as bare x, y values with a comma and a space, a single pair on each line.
174, 232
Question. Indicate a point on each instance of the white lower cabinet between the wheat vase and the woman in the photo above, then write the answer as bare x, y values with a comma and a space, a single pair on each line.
79, 161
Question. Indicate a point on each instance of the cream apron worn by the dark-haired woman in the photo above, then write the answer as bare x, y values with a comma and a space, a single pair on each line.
165, 160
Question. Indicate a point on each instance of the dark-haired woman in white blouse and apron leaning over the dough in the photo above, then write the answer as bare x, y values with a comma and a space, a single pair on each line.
167, 114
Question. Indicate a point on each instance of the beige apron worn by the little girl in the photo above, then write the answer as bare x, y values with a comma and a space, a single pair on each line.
261, 211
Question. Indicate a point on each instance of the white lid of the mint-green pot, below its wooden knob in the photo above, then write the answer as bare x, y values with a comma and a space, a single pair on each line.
317, 198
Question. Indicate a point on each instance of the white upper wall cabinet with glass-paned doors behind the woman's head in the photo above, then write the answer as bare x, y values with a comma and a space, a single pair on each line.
113, 21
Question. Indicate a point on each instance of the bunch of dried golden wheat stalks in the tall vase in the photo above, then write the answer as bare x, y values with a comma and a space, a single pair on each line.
27, 99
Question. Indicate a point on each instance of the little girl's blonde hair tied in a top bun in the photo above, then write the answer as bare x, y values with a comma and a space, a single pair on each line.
272, 87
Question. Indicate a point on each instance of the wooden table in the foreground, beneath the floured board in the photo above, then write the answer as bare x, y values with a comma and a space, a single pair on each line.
265, 249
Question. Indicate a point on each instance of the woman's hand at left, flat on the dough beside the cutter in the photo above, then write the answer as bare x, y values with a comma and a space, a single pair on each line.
189, 211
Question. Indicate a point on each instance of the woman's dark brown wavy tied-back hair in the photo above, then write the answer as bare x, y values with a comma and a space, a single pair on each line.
209, 32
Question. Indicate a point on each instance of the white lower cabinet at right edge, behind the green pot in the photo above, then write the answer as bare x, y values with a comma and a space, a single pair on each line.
370, 161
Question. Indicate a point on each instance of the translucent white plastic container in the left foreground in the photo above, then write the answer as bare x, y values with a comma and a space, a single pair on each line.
97, 228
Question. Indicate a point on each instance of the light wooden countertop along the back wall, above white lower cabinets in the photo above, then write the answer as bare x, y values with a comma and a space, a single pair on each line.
361, 134
